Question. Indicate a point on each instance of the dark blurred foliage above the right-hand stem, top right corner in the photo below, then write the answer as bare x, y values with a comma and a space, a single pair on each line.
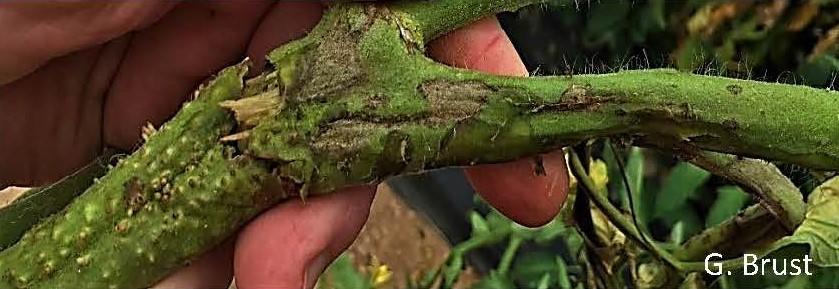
784, 41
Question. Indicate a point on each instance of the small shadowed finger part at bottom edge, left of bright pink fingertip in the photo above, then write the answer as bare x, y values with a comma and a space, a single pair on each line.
213, 269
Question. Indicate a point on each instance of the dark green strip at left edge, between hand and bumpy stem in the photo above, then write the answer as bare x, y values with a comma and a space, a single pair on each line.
36, 204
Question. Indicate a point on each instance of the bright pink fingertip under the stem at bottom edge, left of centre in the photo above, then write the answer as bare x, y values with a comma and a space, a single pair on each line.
290, 245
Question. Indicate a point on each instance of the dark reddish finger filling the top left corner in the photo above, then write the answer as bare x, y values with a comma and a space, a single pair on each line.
35, 32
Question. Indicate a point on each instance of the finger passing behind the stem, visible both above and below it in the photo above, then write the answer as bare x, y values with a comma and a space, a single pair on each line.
514, 188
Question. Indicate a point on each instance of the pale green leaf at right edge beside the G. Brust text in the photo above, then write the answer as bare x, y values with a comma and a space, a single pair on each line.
820, 229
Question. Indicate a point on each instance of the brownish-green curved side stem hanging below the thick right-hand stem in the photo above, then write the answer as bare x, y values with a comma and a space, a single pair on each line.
762, 179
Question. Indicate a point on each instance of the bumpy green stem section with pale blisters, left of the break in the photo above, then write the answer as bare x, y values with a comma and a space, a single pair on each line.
177, 197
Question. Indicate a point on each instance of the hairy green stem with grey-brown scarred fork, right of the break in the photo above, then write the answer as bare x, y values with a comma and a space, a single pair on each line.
388, 110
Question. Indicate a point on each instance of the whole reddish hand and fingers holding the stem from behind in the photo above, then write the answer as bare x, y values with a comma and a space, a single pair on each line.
76, 76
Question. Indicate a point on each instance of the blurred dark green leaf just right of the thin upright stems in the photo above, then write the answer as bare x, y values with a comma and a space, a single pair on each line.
682, 182
